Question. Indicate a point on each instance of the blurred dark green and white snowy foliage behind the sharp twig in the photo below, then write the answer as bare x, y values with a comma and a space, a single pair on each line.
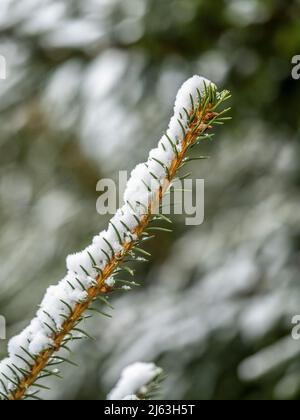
90, 88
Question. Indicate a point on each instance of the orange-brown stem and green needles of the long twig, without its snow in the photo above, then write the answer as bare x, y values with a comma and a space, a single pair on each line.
15, 382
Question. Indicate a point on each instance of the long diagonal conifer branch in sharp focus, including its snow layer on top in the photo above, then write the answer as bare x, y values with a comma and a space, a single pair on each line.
92, 274
